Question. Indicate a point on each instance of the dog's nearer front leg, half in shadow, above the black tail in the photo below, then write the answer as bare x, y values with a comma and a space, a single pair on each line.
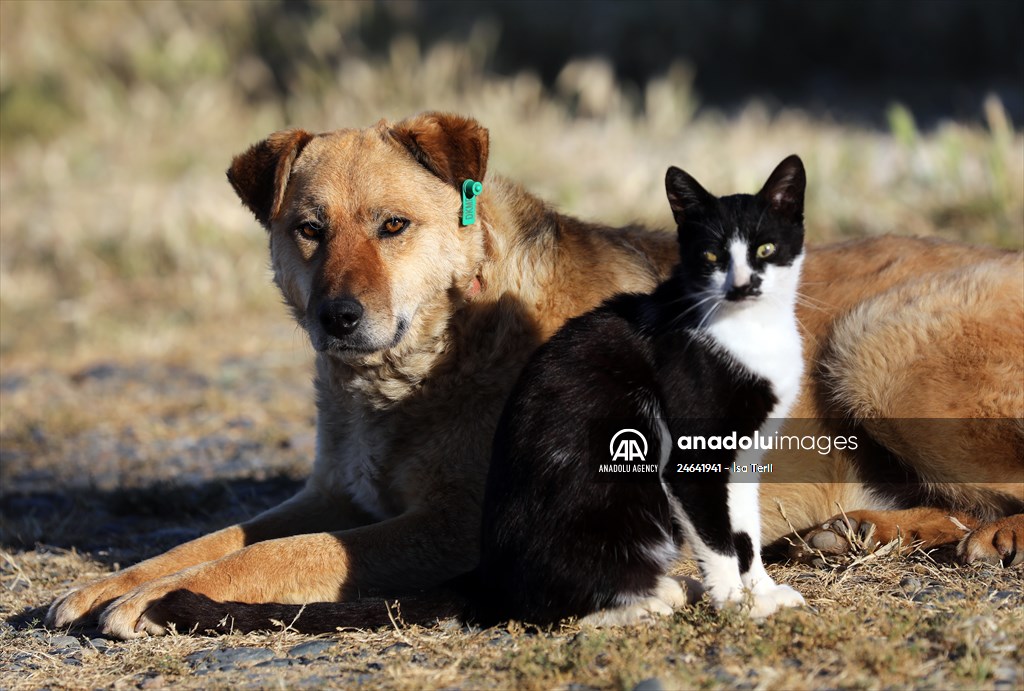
416, 550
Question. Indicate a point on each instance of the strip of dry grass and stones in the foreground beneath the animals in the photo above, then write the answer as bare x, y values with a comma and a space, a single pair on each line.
869, 625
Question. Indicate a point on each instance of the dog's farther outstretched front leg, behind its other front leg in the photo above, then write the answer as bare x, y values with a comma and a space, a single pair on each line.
306, 512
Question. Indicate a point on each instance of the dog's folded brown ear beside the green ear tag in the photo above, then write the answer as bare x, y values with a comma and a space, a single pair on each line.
451, 147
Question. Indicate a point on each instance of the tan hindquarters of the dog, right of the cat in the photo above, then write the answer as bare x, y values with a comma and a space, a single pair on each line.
916, 348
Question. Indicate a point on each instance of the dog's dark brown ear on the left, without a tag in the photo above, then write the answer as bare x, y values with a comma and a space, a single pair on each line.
261, 176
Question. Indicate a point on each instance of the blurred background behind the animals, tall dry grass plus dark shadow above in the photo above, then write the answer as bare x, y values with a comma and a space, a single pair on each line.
119, 236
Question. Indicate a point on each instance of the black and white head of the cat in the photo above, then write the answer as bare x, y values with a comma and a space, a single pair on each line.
736, 249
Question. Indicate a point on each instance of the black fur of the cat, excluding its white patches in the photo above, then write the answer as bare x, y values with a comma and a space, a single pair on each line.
560, 542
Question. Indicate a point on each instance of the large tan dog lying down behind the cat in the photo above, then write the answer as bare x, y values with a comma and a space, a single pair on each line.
421, 326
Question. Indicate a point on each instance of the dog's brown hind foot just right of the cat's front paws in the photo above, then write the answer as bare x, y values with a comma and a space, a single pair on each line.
925, 528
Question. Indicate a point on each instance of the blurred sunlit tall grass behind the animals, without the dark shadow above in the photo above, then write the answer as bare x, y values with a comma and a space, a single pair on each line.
117, 121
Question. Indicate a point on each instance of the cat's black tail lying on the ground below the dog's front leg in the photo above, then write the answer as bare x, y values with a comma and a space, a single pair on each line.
190, 612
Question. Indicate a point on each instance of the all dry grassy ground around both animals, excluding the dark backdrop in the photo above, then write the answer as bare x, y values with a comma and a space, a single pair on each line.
123, 246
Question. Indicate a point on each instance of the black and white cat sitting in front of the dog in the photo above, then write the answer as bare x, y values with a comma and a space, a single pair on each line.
714, 351
